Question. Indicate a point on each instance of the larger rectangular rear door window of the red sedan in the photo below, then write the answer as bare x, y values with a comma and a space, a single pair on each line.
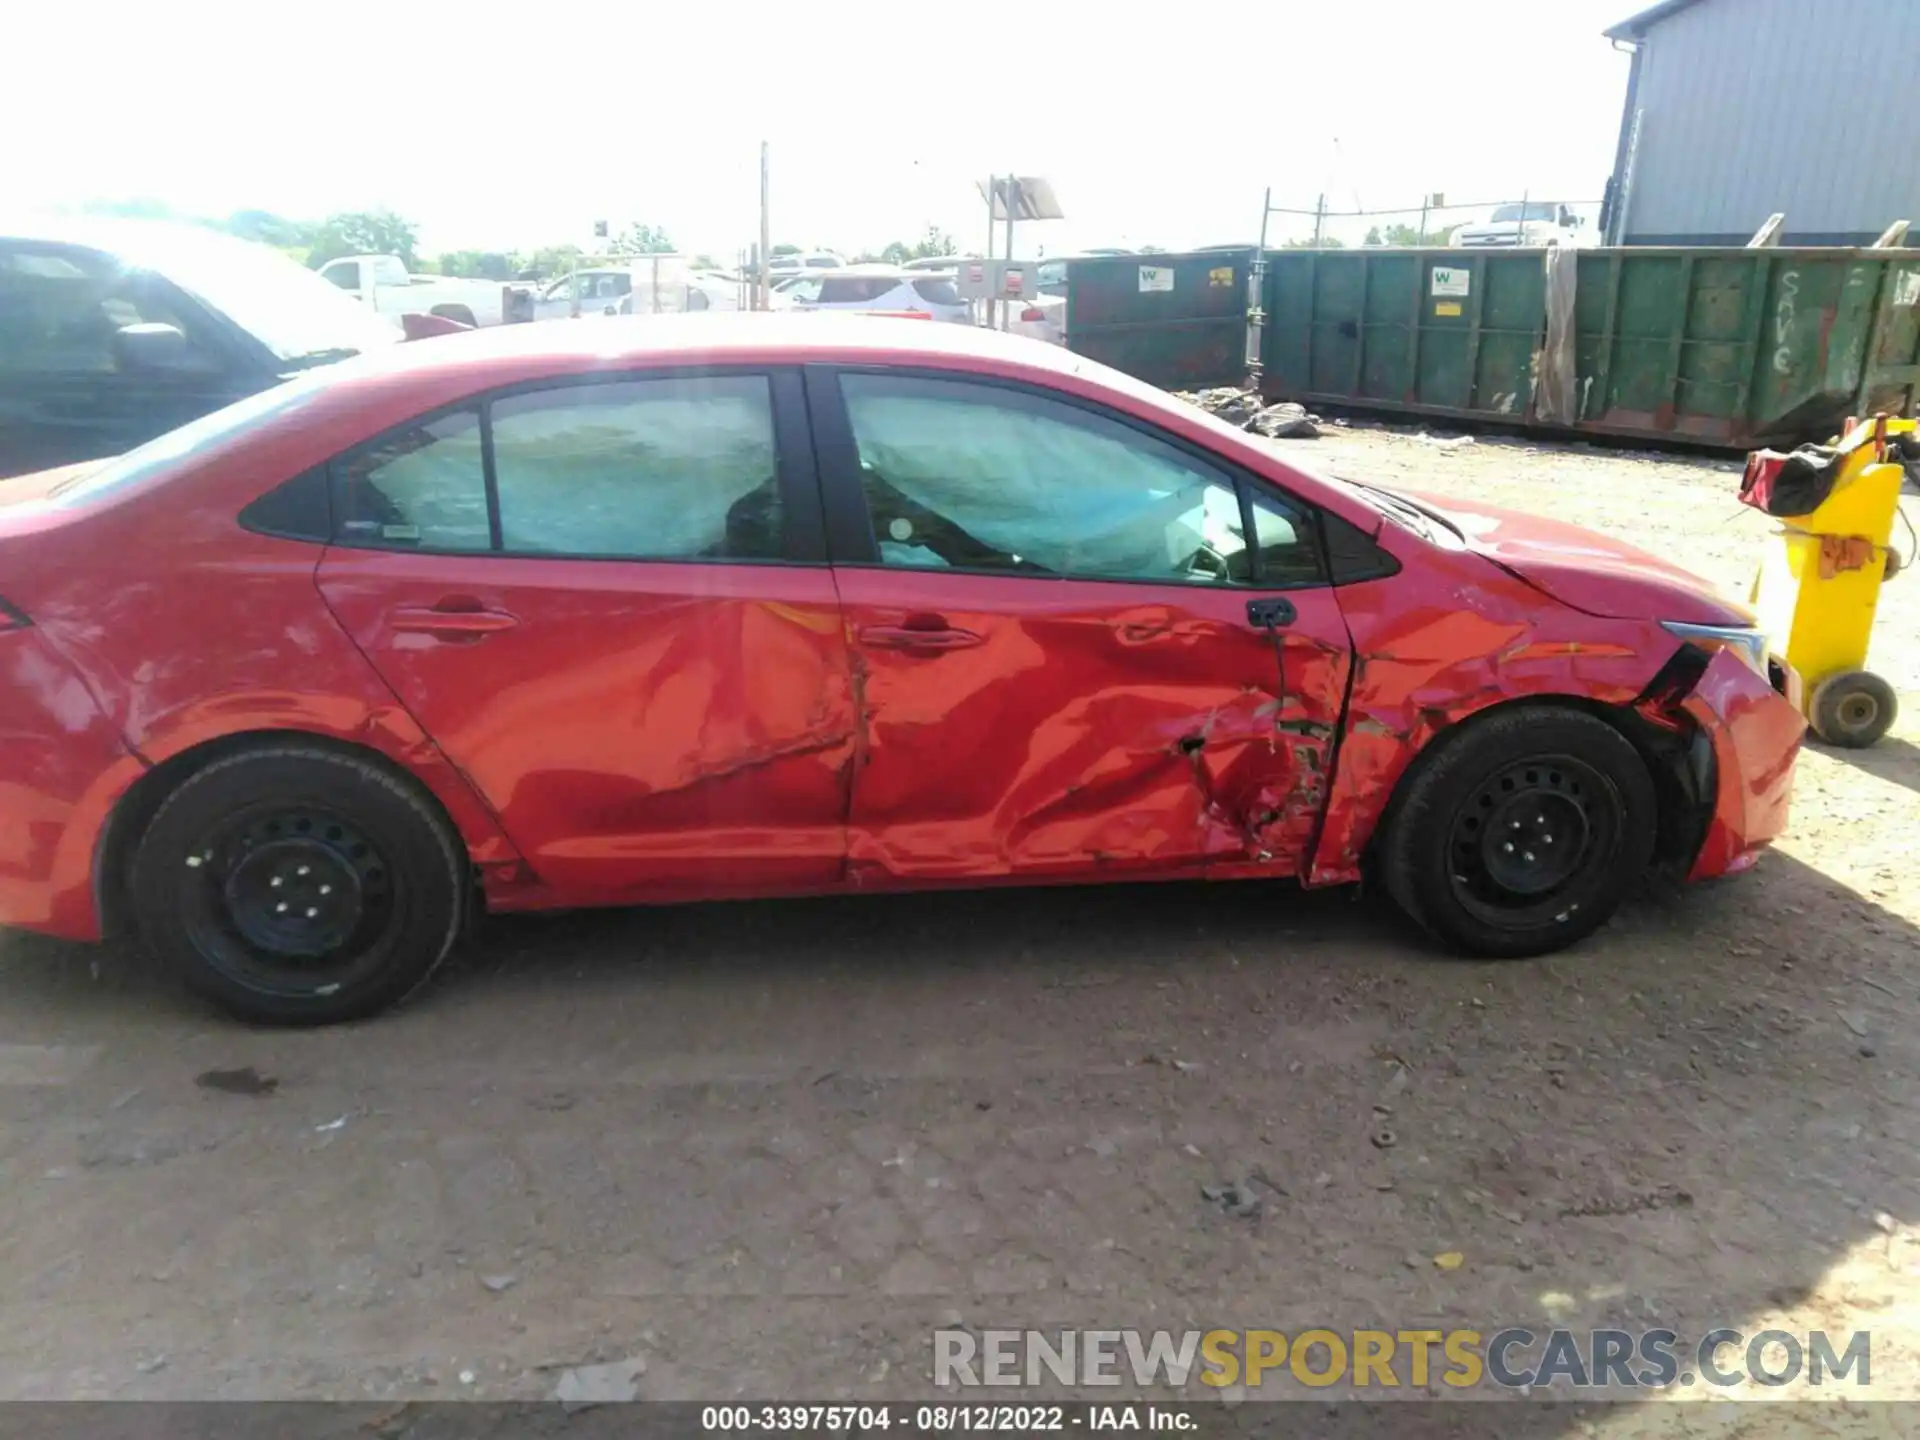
646, 469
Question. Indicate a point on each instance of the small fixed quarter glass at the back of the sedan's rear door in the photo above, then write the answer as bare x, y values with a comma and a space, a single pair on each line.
420, 489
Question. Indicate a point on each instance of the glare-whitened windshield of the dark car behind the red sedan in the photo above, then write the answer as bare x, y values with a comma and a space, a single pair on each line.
291, 310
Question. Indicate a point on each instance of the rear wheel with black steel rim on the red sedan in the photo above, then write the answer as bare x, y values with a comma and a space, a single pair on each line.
300, 886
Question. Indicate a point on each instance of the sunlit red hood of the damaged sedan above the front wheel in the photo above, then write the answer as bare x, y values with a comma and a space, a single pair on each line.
1585, 569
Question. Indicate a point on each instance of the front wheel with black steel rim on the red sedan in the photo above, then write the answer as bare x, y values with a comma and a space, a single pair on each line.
1522, 832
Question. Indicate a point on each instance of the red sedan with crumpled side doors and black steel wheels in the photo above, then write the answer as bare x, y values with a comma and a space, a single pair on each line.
661, 610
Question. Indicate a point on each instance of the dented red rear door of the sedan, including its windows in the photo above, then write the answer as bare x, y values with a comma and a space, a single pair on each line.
610, 606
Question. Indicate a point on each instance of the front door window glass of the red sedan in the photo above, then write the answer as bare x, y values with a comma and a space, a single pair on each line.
990, 479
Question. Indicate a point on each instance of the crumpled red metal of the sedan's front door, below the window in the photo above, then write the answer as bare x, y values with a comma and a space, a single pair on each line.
1095, 727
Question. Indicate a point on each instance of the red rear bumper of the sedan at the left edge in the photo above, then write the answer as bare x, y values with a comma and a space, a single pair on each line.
62, 765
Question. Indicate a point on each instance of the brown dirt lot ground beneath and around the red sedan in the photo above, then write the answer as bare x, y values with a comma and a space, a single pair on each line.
769, 1147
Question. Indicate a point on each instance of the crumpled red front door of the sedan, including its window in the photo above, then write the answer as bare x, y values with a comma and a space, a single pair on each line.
1049, 619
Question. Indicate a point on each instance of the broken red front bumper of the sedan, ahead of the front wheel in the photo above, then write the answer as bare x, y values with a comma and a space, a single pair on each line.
1756, 736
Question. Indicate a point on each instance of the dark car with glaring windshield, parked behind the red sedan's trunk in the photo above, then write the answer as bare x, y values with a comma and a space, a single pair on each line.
118, 331
